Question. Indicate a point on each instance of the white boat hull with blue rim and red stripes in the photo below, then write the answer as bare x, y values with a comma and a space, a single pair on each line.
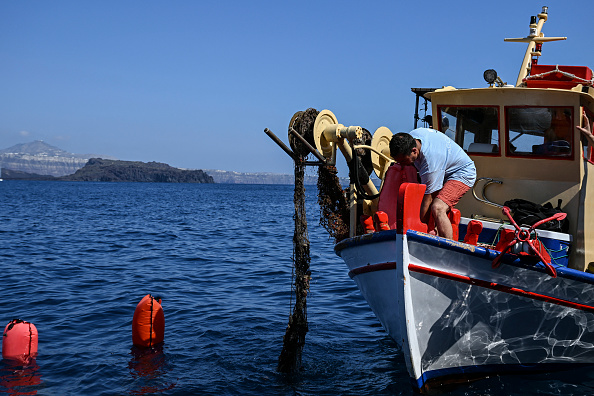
454, 315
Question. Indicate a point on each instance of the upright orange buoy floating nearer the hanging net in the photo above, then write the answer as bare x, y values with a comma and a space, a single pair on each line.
148, 324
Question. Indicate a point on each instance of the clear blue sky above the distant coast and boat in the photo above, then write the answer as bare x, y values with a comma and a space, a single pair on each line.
194, 83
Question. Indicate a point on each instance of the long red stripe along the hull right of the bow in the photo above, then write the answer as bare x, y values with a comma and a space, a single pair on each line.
498, 287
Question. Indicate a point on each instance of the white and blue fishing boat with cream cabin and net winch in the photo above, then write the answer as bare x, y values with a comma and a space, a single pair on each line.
503, 295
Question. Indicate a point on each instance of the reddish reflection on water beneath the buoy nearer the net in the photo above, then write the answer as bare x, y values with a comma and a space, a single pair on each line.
147, 367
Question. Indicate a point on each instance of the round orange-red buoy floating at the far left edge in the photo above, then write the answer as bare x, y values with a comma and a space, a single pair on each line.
19, 341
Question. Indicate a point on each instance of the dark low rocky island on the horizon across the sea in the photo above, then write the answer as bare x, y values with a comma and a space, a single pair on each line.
97, 169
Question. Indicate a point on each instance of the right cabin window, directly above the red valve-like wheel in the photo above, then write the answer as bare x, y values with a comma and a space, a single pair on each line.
539, 131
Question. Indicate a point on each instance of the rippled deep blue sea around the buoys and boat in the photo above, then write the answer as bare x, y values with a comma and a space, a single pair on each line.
76, 258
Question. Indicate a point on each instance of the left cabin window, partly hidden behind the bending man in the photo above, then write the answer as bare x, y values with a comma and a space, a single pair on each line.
474, 128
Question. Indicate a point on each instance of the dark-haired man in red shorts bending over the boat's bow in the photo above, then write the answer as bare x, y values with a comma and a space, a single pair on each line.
444, 167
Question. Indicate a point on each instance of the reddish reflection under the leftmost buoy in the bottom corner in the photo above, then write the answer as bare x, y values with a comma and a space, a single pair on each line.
17, 378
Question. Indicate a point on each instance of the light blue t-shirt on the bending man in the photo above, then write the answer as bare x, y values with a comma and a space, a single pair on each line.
441, 159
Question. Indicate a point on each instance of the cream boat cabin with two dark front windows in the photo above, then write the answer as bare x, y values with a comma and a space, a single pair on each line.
525, 138
